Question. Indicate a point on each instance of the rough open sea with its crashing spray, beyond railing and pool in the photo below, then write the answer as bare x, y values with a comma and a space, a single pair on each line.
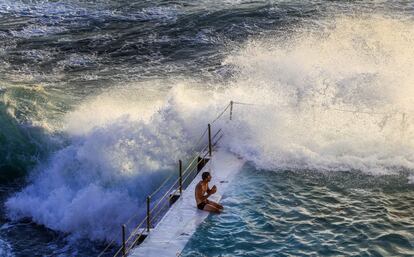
112, 94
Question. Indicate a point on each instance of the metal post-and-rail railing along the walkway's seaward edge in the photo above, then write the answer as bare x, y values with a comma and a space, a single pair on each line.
175, 189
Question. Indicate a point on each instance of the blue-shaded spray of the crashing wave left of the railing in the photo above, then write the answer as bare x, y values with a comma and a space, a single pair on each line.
102, 178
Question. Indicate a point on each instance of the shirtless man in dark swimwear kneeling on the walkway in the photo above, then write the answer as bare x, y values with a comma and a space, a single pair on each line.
203, 192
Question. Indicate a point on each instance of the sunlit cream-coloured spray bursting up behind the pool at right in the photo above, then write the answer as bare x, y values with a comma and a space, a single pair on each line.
329, 100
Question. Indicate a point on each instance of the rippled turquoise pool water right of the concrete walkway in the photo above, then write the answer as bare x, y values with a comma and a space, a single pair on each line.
285, 213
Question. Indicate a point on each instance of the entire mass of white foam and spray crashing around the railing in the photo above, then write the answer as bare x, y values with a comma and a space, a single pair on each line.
122, 146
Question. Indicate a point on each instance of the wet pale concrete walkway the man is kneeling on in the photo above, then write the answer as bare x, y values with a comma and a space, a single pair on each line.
177, 226
